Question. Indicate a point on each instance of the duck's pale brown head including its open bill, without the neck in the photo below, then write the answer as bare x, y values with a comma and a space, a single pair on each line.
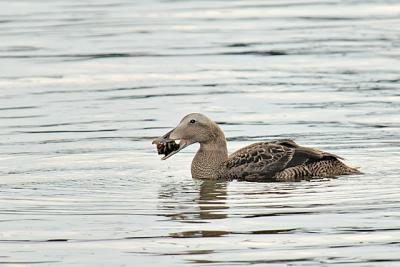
193, 128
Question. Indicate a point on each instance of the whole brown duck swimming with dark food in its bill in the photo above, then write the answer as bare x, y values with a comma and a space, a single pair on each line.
280, 160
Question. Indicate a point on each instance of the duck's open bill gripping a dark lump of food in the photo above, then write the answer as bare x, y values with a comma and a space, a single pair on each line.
168, 147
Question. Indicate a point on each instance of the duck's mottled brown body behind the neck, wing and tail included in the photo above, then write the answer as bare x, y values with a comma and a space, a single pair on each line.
282, 160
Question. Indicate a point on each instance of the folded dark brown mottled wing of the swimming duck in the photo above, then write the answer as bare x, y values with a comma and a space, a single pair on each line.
261, 161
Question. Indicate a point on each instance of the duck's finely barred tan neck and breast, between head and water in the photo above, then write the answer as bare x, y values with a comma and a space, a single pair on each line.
209, 158
